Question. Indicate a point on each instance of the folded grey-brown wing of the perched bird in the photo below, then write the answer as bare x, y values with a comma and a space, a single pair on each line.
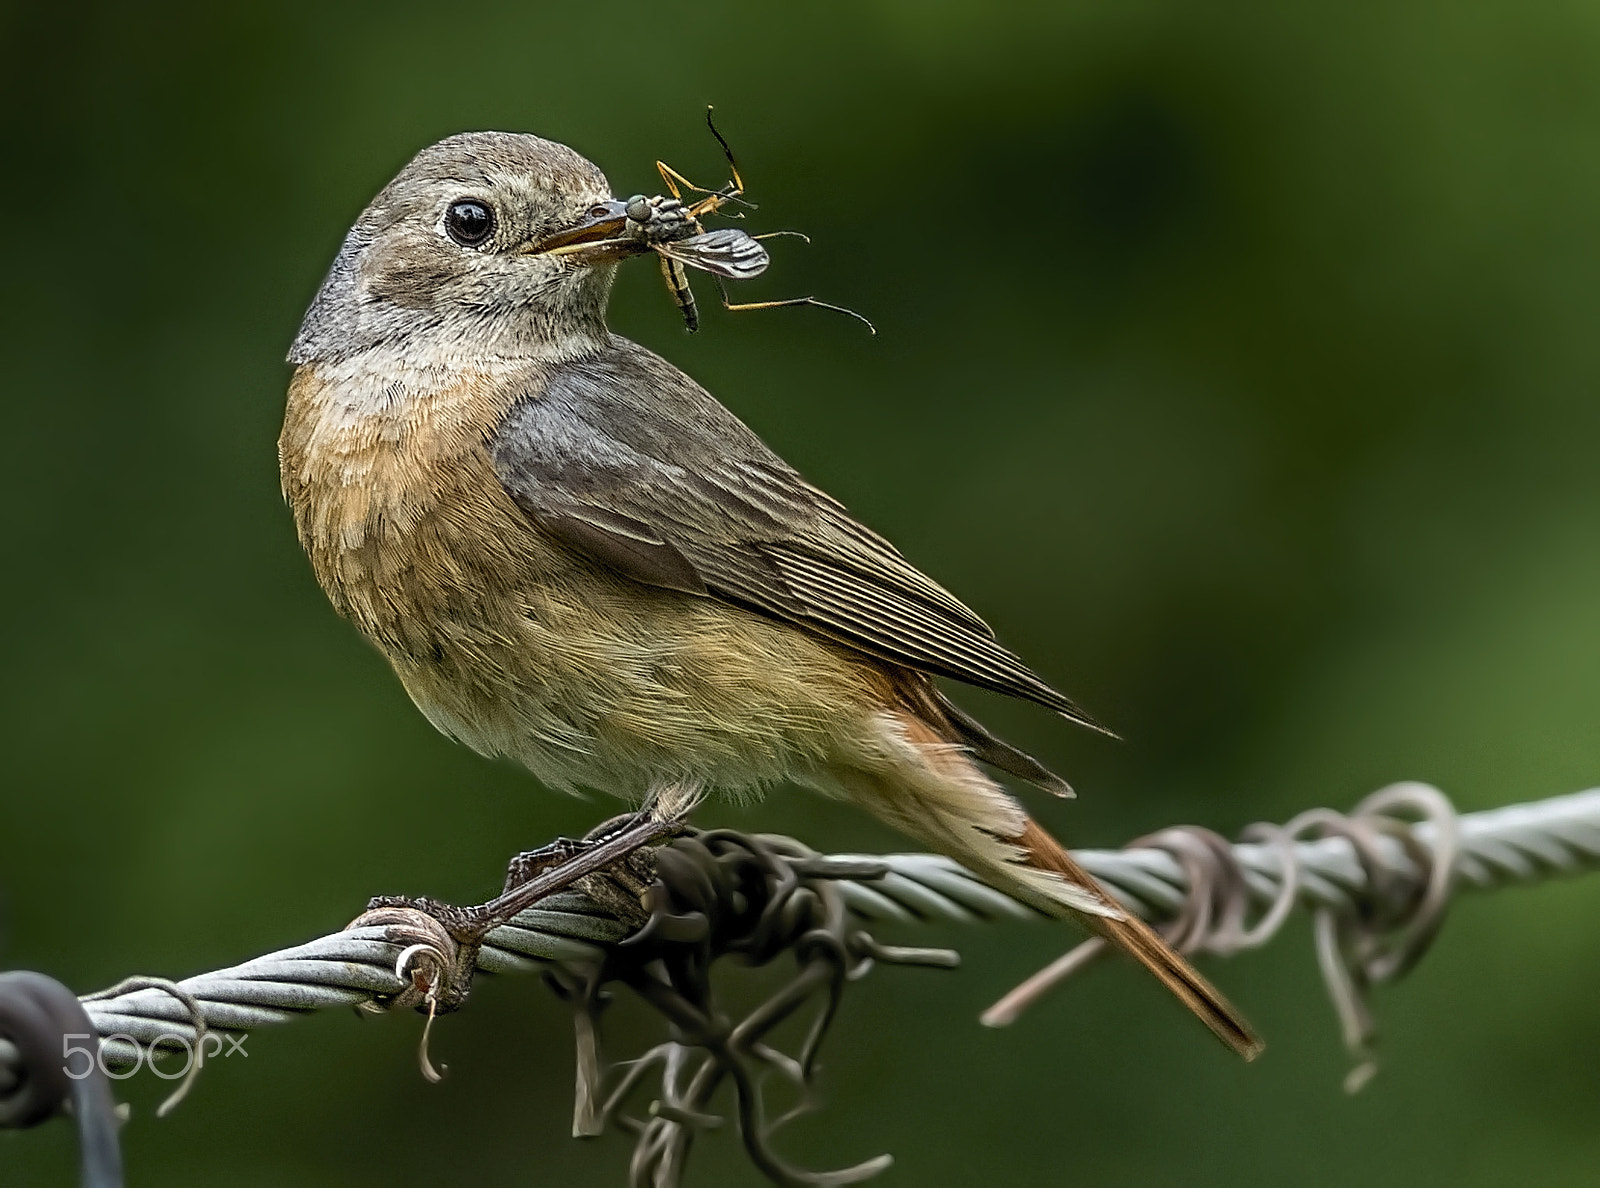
630, 462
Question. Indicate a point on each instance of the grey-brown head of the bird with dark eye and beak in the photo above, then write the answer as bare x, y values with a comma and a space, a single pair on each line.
487, 246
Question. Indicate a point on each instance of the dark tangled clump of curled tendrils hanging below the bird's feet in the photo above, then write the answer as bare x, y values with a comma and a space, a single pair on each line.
727, 894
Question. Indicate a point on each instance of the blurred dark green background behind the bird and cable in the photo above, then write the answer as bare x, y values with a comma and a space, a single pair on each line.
1236, 361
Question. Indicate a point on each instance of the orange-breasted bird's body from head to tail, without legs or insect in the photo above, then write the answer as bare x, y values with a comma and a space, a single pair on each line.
577, 558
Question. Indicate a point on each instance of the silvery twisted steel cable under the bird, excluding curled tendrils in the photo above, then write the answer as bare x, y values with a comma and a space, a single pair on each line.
1518, 845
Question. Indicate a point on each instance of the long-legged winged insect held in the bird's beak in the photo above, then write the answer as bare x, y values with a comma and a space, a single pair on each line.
674, 231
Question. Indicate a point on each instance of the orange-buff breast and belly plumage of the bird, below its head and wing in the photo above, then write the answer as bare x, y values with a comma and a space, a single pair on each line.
514, 643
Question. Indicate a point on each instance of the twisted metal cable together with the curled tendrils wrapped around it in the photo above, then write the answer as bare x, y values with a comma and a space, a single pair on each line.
1377, 881
